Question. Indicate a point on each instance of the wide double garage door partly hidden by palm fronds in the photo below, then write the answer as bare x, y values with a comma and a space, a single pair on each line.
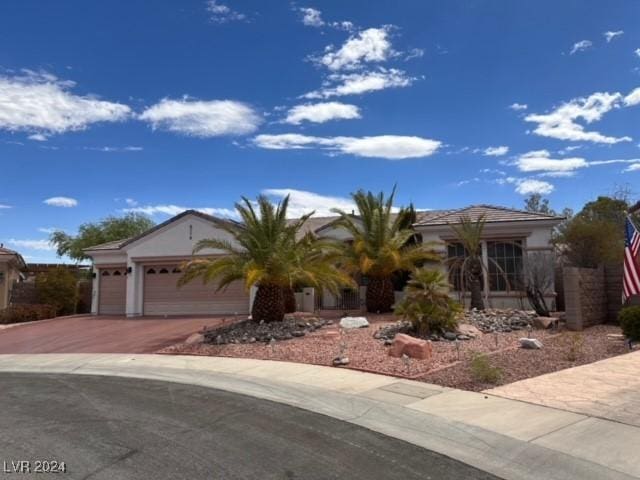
163, 297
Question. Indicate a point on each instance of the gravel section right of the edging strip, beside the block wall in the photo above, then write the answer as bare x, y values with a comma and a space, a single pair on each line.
518, 364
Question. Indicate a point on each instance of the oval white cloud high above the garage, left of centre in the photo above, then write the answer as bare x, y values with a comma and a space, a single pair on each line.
199, 118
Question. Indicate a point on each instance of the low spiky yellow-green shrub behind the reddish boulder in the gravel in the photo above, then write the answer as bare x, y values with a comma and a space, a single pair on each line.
426, 303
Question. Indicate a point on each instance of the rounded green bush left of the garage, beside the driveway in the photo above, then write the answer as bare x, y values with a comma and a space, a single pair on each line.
58, 287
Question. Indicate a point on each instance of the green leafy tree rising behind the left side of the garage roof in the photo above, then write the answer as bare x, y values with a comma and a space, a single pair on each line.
94, 233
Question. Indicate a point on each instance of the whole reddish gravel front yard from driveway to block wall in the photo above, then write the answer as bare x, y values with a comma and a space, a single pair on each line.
448, 366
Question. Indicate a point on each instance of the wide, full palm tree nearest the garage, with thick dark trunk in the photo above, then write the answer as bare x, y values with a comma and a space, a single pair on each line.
265, 252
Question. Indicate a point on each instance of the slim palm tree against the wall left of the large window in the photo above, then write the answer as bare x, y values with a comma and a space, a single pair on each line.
470, 266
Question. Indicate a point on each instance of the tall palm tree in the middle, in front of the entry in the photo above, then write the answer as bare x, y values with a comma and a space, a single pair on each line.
383, 243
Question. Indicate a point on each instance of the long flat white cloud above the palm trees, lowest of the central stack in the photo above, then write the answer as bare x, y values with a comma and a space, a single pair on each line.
391, 147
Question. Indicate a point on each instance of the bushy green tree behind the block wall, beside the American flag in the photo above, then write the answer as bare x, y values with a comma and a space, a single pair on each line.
596, 234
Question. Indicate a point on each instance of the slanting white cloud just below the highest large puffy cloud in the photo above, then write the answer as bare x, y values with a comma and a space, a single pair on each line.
338, 85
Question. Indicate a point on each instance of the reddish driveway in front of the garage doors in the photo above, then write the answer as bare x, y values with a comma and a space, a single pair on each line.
101, 334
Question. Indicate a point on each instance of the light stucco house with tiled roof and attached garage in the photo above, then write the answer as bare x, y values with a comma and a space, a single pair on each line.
138, 276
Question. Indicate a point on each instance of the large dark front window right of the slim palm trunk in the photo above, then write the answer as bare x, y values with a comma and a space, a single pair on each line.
508, 257
